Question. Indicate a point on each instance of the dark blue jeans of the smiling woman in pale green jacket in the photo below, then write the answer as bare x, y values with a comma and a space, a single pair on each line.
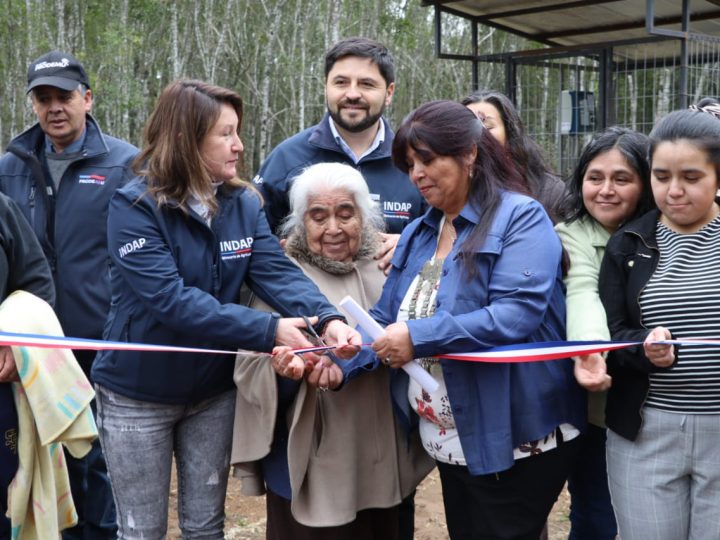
591, 512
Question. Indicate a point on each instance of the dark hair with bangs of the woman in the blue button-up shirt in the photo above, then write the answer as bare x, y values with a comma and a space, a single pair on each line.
447, 128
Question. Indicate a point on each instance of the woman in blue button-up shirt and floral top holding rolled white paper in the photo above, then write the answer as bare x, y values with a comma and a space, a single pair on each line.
481, 268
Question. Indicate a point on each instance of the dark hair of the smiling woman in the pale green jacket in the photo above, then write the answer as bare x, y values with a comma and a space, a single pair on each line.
633, 146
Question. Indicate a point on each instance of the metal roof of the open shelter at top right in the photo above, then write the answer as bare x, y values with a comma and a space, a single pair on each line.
574, 23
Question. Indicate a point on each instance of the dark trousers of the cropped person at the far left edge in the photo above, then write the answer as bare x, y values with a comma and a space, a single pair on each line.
8, 452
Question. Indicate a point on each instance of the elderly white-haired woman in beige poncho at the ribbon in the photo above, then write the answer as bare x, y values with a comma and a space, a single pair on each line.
334, 464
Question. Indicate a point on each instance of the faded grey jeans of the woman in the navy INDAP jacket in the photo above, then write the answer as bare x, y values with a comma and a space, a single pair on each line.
139, 439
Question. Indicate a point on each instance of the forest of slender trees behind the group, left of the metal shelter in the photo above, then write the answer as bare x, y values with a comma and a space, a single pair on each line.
270, 51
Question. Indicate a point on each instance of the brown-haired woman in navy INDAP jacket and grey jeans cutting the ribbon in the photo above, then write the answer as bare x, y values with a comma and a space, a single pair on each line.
183, 237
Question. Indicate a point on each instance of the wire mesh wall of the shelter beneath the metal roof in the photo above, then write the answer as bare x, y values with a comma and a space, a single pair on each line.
564, 99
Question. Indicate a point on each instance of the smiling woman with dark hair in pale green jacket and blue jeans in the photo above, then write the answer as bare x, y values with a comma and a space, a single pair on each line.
609, 186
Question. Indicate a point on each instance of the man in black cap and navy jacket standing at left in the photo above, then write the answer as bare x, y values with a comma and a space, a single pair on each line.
62, 172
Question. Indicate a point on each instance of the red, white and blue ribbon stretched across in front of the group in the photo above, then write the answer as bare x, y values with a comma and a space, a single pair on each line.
524, 352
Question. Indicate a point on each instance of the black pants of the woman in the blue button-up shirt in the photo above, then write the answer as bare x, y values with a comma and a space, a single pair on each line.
509, 505
